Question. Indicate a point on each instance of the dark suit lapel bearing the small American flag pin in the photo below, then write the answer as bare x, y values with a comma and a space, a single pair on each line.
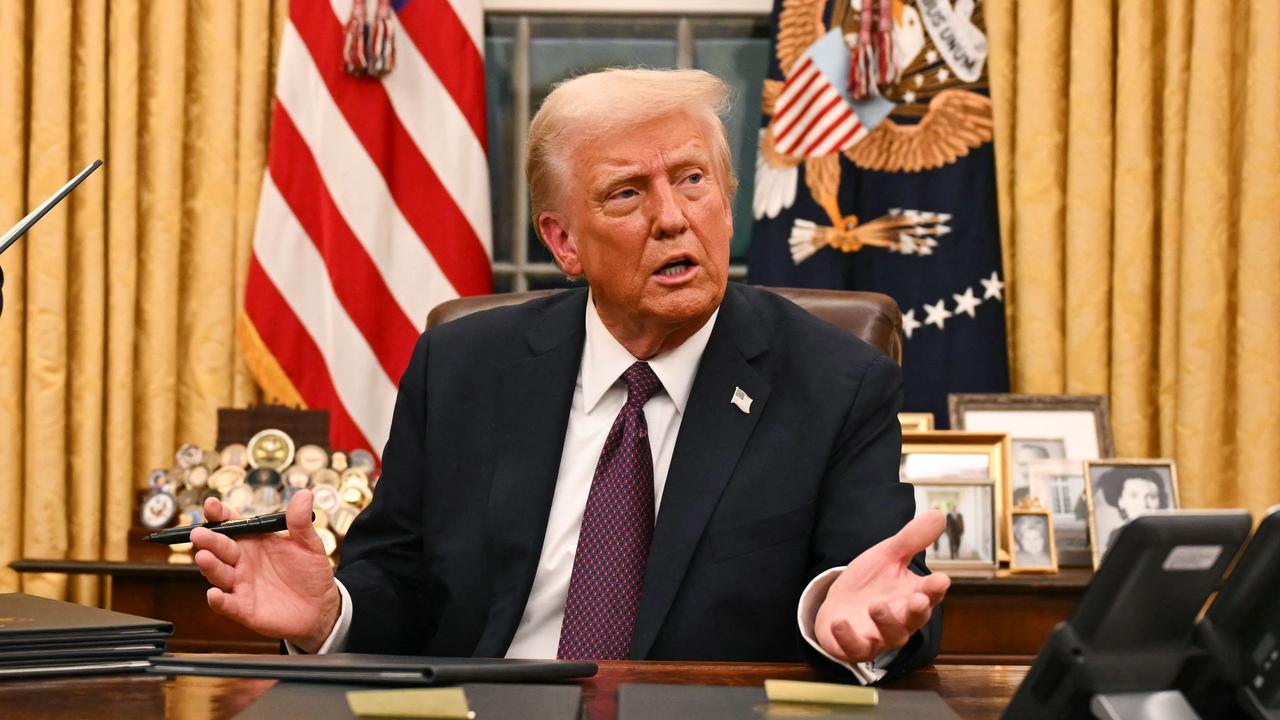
712, 436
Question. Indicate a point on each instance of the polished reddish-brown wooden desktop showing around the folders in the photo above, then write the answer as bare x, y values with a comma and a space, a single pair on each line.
975, 692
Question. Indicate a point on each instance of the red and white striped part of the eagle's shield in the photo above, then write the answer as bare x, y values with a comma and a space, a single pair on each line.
811, 117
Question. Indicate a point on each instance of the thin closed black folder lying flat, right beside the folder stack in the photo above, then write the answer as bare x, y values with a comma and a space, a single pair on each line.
374, 669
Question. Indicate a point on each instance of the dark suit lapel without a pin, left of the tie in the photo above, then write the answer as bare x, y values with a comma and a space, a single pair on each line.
534, 398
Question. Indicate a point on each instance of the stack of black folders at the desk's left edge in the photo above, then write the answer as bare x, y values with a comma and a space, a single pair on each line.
49, 637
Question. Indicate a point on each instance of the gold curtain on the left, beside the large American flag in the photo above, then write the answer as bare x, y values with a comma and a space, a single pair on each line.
117, 341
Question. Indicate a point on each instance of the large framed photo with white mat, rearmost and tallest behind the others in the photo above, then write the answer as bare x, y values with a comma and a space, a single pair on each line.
1081, 422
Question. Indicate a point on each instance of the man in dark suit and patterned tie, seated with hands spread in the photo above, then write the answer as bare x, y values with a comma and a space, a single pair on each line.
740, 500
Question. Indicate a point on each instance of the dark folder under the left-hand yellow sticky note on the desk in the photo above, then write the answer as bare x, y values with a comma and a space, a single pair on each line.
330, 703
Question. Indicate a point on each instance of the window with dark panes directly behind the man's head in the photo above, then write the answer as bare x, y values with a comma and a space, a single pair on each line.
527, 54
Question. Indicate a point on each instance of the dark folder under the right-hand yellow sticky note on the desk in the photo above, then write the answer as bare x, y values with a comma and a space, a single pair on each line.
643, 701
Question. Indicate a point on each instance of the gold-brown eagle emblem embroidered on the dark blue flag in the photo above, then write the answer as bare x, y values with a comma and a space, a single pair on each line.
950, 120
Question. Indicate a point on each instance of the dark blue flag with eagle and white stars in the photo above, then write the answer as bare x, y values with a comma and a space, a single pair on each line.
876, 172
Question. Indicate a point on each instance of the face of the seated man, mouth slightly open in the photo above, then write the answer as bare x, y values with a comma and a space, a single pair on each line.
647, 221
